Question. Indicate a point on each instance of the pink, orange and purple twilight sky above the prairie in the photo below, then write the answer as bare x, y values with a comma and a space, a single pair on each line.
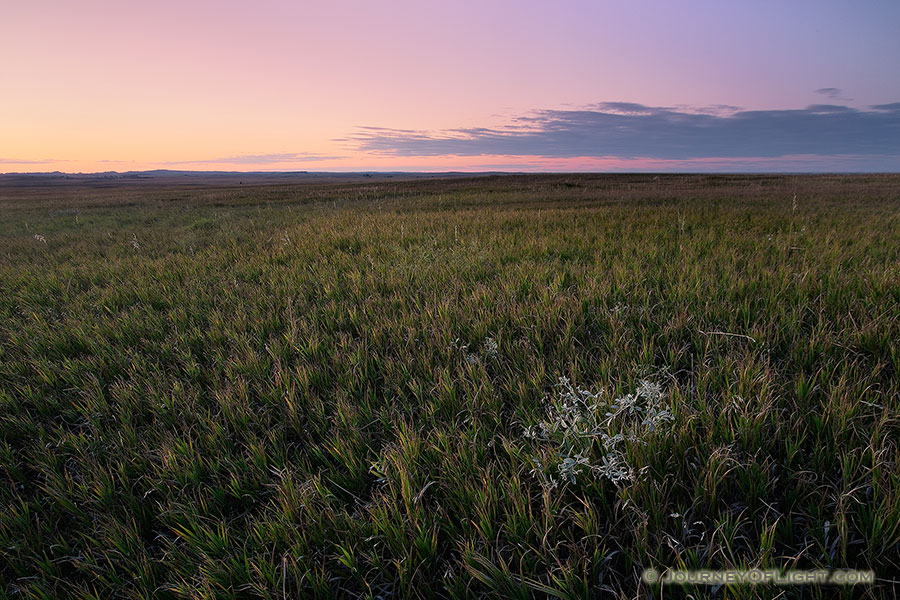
276, 85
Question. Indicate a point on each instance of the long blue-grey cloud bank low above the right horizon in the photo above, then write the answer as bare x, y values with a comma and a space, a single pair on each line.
629, 130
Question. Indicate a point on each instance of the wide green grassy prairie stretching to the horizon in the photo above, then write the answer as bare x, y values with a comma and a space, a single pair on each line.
354, 388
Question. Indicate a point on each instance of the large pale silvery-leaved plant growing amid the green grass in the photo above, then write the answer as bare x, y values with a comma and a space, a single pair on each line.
586, 434
